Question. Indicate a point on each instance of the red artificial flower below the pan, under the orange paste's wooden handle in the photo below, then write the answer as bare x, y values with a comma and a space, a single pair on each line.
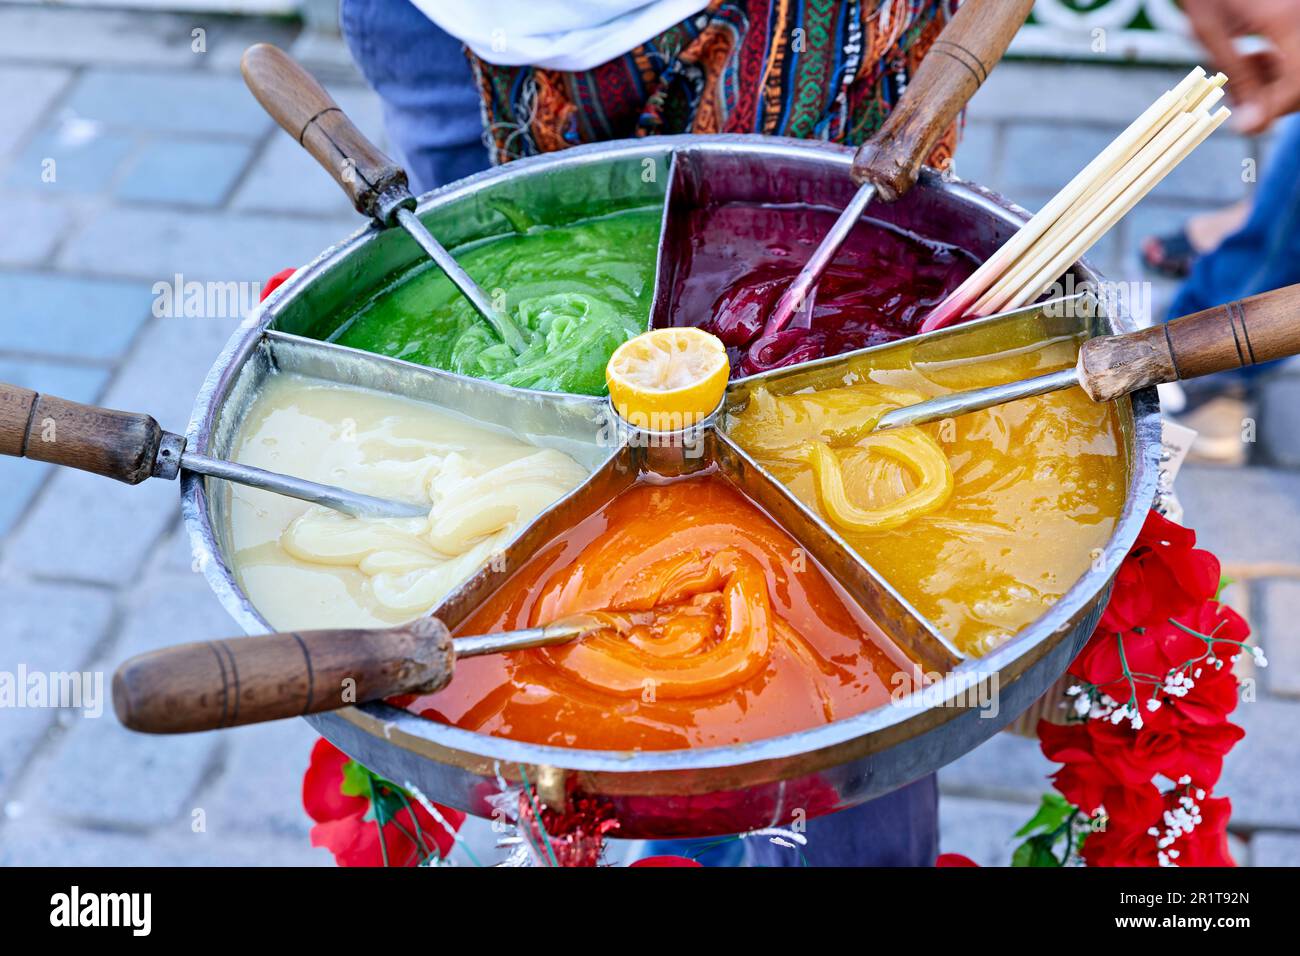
346, 827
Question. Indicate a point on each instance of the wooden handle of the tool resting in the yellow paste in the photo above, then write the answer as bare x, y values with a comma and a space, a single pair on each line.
1234, 336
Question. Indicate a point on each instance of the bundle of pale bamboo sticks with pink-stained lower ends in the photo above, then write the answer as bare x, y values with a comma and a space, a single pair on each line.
1098, 198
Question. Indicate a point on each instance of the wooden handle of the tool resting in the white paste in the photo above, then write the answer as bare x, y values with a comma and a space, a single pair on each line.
118, 444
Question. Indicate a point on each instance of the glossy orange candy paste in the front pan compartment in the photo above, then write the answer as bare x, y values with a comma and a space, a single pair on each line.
722, 630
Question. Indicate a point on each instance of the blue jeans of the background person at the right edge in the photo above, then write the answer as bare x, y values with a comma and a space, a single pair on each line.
1266, 253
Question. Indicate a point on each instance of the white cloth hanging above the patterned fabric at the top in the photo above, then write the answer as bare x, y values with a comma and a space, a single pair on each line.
574, 36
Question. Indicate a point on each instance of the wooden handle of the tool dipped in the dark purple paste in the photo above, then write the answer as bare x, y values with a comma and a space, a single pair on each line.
955, 68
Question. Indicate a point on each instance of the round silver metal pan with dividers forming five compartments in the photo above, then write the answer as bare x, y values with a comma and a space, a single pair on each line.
675, 793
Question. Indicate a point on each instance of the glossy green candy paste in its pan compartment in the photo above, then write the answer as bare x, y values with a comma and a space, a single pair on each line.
578, 292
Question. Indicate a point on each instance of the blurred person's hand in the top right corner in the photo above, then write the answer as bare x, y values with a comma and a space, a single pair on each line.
1264, 85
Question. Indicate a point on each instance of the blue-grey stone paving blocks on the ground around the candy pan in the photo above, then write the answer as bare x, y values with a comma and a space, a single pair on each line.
128, 158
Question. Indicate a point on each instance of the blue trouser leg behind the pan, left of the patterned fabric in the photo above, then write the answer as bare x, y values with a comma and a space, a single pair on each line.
431, 105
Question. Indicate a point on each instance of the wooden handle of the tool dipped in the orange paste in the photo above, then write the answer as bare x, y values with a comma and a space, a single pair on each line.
228, 684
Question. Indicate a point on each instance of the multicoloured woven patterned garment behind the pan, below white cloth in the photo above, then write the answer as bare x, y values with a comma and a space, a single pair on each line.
812, 70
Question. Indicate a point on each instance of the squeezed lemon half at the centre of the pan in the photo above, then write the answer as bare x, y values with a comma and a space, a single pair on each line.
668, 379
